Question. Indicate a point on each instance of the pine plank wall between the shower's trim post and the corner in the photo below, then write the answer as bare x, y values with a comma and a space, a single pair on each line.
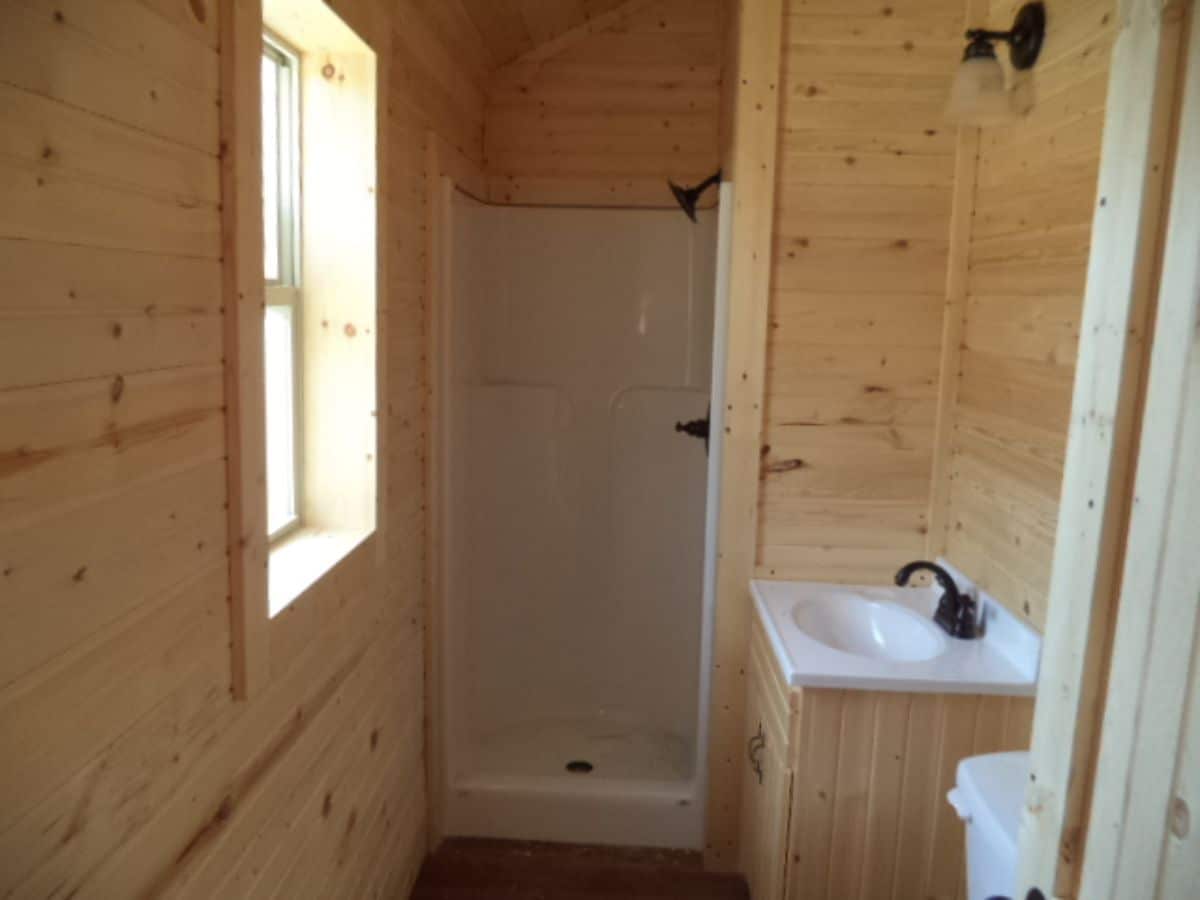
867, 184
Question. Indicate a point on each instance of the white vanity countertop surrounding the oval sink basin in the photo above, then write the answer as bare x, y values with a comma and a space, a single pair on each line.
1004, 662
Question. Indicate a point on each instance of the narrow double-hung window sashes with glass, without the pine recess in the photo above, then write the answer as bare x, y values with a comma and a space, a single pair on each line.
281, 268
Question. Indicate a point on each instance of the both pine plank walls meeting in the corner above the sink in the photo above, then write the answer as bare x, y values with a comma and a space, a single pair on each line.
867, 178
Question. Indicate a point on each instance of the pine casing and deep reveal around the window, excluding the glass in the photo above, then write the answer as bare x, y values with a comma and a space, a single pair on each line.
344, 239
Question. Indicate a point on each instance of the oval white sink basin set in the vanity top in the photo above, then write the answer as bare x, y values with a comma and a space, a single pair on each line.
874, 629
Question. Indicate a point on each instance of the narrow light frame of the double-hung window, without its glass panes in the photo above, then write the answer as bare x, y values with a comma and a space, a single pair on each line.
286, 291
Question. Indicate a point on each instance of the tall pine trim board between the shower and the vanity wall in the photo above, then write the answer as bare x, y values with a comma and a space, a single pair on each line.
753, 173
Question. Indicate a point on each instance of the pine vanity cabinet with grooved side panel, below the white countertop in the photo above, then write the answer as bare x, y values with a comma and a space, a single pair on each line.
851, 800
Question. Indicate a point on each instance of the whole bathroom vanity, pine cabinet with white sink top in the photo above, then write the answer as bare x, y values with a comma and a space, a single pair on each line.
859, 711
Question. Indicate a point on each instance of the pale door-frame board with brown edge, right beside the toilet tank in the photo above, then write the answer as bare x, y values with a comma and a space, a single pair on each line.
1099, 469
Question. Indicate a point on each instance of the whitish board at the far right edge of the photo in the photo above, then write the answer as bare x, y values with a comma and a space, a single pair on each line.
1139, 842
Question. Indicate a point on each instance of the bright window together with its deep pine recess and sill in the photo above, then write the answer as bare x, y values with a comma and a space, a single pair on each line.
320, 331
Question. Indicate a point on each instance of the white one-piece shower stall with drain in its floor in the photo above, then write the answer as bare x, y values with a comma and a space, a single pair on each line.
578, 339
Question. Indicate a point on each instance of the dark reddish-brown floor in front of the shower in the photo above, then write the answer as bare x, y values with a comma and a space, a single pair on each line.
476, 869
